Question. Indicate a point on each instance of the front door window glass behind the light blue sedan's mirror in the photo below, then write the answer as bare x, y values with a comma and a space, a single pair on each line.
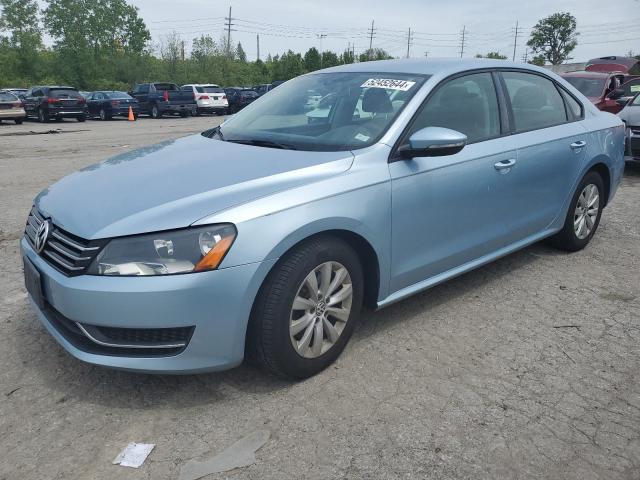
467, 104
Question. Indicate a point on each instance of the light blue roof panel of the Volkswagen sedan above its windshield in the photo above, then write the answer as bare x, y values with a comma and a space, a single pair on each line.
424, 66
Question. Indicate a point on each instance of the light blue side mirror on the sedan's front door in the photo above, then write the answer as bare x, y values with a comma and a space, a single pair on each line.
433, 142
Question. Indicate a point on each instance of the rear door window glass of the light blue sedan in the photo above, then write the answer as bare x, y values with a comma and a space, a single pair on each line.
535, 101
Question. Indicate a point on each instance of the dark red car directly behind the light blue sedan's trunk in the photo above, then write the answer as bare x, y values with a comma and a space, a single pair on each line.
597, 87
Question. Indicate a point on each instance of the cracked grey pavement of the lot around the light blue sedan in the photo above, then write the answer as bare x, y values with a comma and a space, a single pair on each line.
526, 368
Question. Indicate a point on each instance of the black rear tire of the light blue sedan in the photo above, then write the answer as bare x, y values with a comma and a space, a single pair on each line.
573, 238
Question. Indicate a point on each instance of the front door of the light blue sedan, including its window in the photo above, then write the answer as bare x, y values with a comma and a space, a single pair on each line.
450, 210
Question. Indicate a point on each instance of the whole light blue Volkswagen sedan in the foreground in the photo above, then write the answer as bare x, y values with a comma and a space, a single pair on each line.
266, 236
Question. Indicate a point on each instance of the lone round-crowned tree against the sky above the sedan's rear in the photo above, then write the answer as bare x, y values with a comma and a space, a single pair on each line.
554, 37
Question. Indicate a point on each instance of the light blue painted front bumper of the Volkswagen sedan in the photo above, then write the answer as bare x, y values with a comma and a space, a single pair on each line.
217, 304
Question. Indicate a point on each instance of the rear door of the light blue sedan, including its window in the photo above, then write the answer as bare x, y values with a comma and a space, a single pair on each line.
551, 150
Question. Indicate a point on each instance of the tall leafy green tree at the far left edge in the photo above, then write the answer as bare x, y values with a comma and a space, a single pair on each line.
19, 18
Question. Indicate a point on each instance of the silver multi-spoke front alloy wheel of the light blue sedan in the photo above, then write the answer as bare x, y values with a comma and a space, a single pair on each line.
321, 309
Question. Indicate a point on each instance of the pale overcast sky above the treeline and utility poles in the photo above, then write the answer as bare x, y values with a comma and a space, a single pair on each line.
437, 25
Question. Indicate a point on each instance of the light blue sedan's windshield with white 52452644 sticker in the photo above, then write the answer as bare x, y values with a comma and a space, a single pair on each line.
325, 111
